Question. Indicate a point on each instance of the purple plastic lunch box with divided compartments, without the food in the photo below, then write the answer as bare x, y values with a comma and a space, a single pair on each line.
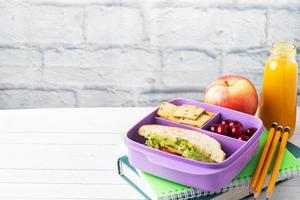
206, 176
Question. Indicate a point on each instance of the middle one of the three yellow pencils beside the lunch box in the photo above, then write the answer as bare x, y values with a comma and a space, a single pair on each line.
267, 164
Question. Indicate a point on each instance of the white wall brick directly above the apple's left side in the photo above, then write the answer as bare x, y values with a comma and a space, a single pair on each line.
189, 69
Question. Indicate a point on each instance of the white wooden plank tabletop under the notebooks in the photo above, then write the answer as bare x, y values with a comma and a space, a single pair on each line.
71, 154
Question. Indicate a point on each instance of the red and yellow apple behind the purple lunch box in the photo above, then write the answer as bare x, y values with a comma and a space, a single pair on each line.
234, 92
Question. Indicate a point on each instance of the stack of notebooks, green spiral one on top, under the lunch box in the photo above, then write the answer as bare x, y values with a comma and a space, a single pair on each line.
153, 187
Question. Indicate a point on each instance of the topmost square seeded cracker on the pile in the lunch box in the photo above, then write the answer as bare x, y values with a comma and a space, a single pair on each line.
188, 112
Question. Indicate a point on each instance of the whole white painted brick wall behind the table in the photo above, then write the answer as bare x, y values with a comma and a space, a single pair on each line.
66, 53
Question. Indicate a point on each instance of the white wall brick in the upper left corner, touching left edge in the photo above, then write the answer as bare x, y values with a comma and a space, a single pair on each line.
42, 24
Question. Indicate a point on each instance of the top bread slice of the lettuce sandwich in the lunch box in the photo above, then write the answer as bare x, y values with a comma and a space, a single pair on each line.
203, 143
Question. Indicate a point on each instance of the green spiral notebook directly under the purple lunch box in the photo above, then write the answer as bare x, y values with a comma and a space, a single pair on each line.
290, 167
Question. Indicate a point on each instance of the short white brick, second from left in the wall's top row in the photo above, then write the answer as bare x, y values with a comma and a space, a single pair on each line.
115, 25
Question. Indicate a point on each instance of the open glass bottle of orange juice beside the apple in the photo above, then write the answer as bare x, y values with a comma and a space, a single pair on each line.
279, 89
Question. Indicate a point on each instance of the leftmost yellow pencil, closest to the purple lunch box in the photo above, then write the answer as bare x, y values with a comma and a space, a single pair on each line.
263, 157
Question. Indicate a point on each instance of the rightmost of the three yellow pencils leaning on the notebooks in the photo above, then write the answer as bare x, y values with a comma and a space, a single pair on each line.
274, 174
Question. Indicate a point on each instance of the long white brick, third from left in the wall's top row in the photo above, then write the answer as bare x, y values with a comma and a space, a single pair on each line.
210, 28
